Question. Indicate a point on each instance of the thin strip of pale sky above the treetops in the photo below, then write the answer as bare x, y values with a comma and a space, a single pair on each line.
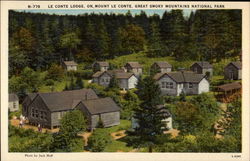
83, 11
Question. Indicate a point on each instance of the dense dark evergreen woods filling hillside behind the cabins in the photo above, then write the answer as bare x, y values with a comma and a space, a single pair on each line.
38, 40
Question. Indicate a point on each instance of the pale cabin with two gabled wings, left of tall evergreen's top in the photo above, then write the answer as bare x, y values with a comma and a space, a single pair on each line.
126, 80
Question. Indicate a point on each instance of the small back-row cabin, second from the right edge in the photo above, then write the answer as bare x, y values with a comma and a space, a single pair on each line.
202, 67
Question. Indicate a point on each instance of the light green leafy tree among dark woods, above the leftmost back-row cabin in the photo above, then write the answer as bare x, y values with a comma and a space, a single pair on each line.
70, 41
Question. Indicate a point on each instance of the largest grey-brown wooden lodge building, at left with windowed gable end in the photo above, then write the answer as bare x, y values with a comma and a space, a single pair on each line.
47, 109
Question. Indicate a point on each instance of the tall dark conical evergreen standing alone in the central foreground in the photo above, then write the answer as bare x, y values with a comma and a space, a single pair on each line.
148, 115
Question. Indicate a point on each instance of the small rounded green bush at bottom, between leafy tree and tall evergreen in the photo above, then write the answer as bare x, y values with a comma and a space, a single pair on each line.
99, 140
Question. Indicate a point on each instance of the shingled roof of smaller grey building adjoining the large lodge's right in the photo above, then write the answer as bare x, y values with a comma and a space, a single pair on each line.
100, 105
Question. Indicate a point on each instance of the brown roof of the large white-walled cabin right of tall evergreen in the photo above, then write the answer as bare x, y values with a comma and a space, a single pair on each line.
182, 77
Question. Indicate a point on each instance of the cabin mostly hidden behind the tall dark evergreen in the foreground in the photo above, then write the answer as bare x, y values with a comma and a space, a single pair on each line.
168, 119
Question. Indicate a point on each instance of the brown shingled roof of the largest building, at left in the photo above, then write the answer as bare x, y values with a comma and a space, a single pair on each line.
59, 101
